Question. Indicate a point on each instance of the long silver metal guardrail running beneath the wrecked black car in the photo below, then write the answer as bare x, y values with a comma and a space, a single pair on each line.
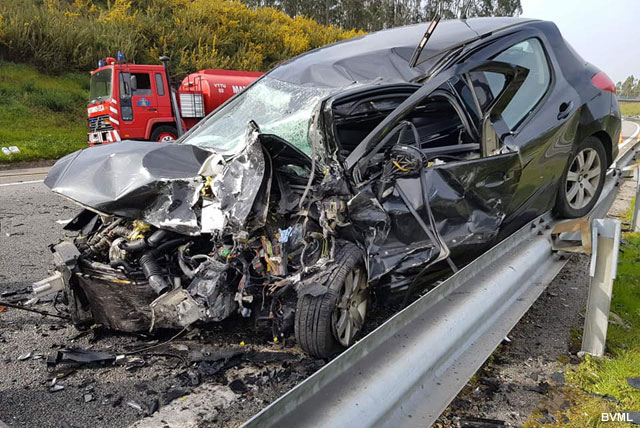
405, 373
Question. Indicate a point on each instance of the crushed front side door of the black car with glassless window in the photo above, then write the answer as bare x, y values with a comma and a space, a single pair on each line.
440, 197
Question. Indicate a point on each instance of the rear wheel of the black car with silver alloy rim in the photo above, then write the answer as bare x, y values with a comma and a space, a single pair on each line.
583, 179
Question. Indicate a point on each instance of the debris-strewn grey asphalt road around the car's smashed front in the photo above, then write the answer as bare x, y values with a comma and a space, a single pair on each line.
97, 397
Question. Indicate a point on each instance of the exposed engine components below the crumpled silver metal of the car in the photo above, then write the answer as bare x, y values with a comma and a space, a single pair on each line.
208, 278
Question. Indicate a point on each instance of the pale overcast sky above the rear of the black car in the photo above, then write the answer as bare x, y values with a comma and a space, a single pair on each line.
605, 33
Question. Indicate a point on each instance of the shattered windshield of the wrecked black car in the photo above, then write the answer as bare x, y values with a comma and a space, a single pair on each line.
278, 107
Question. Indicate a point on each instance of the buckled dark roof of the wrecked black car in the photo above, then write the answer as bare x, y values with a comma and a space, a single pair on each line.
384, 55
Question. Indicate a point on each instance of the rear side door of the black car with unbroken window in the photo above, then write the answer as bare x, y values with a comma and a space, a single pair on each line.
539, 121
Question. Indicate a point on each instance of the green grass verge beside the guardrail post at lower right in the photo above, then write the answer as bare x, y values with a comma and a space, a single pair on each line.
599, 385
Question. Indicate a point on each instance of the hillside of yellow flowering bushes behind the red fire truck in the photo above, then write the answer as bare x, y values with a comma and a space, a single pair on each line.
63, 35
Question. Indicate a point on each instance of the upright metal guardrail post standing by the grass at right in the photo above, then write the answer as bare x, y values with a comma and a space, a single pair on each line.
605, 236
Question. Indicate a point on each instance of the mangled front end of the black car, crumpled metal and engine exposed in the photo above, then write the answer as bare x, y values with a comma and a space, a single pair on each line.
260, 247
